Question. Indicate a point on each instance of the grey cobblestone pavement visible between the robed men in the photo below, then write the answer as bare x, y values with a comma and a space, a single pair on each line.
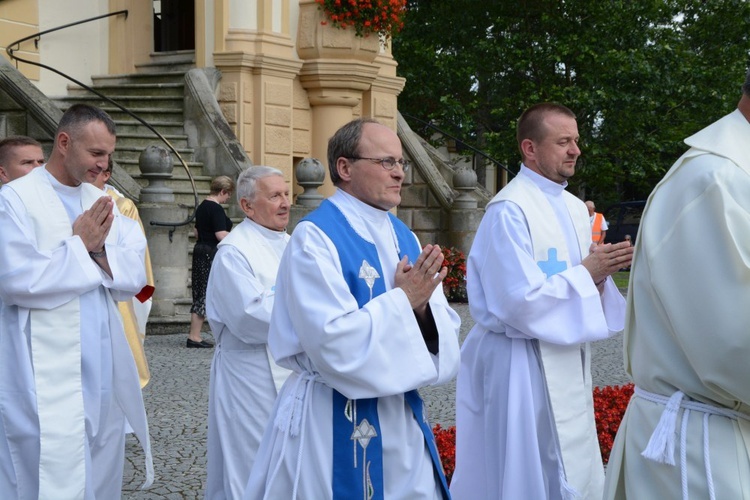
176, 401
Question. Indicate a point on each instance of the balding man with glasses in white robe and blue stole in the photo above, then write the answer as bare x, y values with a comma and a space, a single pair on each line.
361, 320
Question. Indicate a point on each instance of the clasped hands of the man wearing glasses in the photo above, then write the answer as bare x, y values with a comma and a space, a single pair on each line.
420, 279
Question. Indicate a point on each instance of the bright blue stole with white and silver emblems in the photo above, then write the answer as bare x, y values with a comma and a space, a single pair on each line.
357, 448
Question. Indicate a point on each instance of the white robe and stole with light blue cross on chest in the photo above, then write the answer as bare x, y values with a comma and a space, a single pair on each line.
507, 442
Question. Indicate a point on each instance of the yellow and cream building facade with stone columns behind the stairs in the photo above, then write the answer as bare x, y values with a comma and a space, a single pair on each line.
288, 81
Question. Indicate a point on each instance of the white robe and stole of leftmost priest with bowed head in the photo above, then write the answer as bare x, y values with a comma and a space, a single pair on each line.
34, 280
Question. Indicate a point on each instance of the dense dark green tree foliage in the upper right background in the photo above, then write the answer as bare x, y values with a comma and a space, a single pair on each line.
641, 76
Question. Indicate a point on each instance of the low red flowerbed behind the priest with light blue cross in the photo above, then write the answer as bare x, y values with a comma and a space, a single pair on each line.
610, 403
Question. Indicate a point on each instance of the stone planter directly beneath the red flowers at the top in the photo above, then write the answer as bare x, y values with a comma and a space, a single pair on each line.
316, 40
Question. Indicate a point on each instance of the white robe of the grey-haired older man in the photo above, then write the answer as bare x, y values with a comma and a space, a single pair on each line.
244, 379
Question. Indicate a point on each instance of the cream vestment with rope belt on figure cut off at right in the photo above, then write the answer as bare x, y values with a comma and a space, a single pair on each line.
687, 325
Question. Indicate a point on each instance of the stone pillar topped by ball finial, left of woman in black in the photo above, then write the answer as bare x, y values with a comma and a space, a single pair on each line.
168, 245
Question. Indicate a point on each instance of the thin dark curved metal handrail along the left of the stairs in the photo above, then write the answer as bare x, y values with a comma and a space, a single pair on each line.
37, 36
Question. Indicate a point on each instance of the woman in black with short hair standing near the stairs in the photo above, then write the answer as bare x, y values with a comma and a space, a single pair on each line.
211, 226
